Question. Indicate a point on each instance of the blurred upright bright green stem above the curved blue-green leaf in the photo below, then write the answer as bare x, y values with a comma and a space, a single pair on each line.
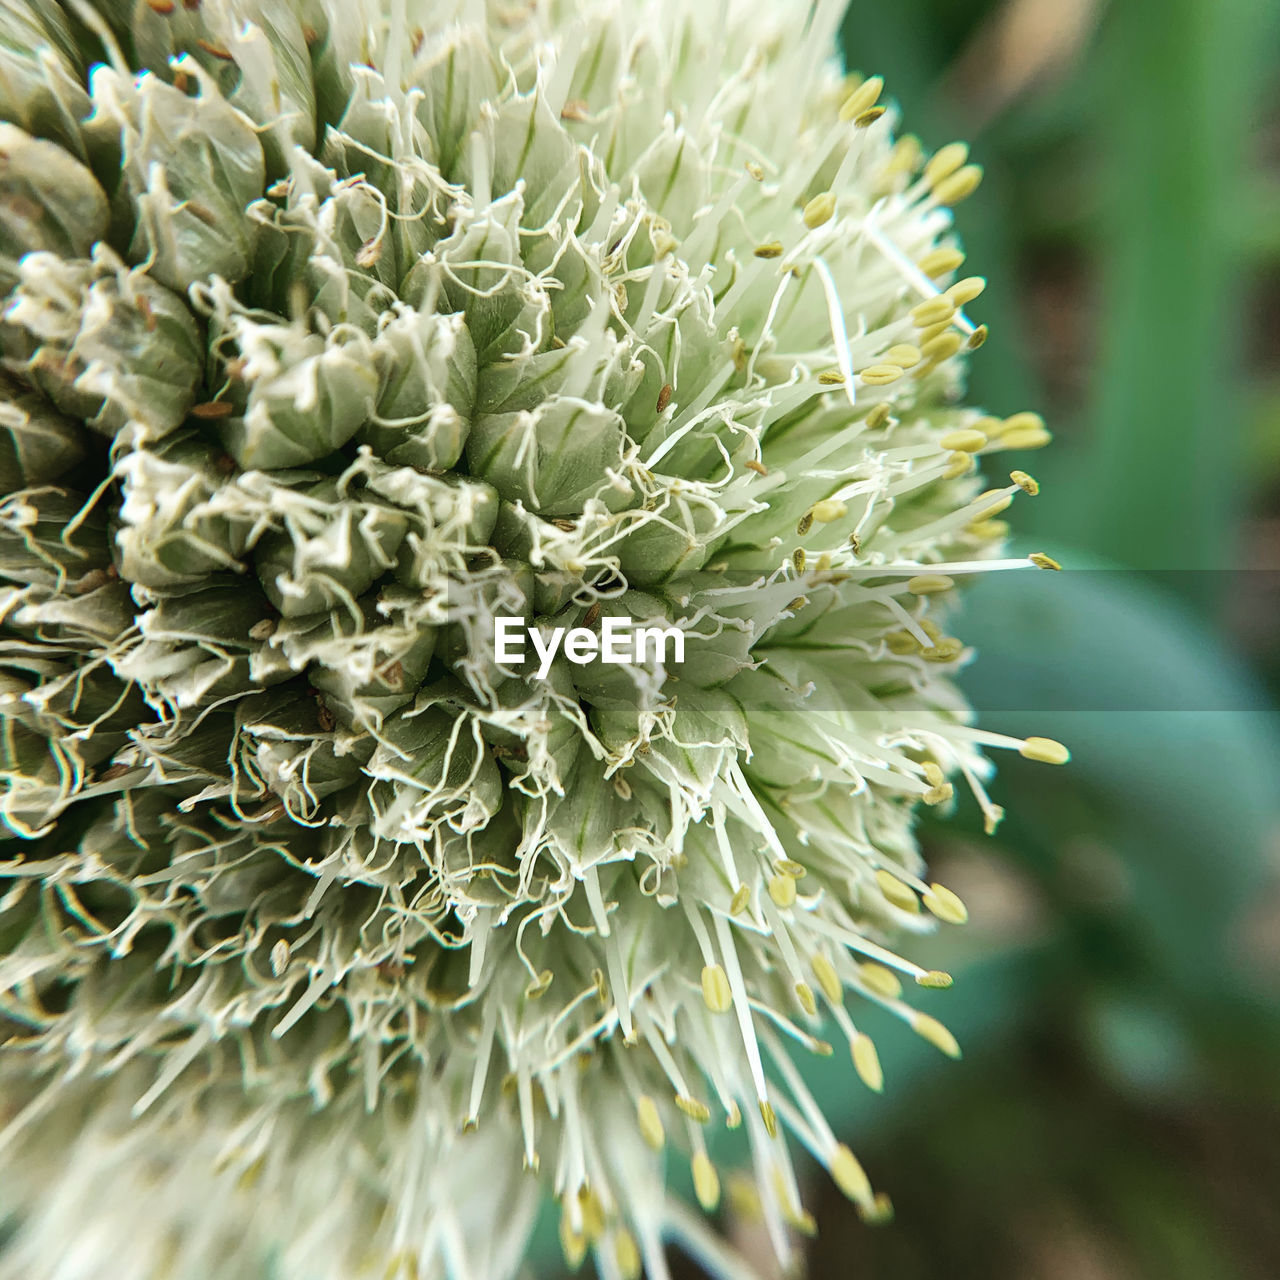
1180, 89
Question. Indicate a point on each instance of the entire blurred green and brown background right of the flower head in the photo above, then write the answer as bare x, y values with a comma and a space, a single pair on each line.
1117, 1116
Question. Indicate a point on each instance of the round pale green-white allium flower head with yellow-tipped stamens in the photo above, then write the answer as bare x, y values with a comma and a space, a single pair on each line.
333, 332
